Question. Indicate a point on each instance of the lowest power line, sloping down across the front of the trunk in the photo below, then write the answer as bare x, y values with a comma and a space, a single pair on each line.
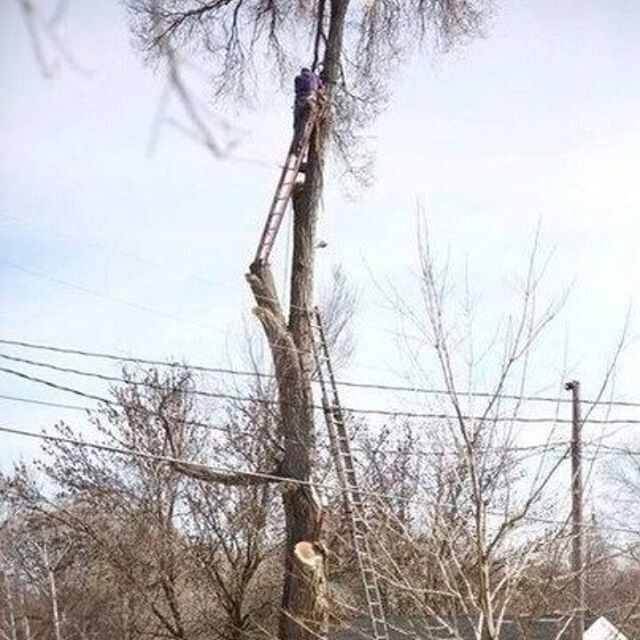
267, 477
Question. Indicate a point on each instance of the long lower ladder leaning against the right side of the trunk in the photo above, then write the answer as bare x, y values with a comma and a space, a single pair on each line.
340, 445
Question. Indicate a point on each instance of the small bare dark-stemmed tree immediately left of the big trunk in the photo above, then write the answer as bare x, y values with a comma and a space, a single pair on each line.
237, 527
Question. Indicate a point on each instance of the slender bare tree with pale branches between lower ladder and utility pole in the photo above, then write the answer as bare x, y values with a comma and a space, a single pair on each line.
487, 510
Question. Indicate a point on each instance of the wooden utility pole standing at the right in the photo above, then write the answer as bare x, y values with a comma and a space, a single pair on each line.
577, 563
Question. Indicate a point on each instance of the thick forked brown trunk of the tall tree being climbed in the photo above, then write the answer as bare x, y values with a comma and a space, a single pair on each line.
304, 606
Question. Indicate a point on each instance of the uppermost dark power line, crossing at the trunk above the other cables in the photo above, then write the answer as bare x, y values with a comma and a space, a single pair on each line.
257, 374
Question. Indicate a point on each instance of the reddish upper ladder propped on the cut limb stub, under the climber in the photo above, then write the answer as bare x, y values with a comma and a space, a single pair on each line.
295, 156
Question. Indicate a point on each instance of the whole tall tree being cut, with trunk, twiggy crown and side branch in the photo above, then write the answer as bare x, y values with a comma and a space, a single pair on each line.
358, 45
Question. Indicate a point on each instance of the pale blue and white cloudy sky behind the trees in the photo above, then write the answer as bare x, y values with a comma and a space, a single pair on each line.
106, 247
